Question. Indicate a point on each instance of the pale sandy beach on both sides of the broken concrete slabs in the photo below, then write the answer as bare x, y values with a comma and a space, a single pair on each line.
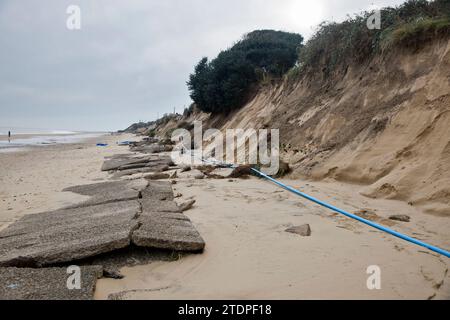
248, 254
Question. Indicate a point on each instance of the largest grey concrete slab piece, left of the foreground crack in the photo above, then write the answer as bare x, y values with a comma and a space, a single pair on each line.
68, 234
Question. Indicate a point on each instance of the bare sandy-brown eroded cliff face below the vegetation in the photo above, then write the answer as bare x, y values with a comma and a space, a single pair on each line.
384, 125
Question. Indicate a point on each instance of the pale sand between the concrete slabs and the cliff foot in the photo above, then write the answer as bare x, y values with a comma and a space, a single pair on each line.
250, 256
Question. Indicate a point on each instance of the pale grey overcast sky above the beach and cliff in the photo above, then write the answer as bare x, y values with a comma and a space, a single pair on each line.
131, 58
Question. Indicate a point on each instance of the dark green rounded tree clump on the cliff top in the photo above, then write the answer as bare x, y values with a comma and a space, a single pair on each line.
225, 83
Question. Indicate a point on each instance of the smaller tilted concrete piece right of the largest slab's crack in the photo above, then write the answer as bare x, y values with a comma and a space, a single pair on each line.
167, 231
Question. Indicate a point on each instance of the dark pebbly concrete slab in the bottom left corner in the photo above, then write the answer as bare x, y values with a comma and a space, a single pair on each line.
47, 283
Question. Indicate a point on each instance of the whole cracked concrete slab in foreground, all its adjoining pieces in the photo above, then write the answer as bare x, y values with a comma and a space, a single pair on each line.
117, 214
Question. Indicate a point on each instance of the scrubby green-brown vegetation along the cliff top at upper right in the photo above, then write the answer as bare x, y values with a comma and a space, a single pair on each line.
335, 46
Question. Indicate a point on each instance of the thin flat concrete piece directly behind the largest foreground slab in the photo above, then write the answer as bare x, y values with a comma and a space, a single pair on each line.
107, 192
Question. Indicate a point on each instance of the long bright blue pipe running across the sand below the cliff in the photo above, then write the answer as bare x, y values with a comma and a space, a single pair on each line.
353, 216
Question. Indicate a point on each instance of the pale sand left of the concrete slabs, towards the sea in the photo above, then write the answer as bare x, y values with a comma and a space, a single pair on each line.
31, 179
